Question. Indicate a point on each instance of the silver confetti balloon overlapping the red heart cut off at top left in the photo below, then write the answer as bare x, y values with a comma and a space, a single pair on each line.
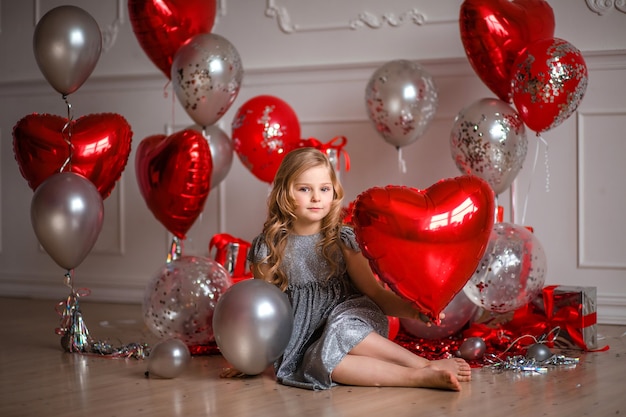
206, 75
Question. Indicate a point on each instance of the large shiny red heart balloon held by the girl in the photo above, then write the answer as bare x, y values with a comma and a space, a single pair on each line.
426, 244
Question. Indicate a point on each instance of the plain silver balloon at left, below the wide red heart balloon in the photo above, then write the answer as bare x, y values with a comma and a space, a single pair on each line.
66, 214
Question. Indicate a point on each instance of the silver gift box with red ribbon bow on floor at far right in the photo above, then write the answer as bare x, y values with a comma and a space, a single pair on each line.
573, 310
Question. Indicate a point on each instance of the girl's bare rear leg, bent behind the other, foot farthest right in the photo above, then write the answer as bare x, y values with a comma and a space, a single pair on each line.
379, 347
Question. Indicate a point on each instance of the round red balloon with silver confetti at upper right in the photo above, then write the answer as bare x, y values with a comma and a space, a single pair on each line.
549, 82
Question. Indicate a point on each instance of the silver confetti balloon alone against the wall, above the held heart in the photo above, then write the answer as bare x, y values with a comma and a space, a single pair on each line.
401, 100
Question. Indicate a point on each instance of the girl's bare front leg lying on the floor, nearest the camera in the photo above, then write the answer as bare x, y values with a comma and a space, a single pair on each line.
368, 371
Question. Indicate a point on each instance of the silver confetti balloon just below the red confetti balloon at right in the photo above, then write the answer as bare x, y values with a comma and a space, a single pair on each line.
488, 139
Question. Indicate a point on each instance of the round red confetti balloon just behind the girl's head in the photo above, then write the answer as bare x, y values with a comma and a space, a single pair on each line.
264, 130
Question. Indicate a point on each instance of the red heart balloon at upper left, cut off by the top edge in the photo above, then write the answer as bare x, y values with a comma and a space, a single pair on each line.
163, 26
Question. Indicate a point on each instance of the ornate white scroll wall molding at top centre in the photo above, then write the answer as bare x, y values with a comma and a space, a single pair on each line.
362, 19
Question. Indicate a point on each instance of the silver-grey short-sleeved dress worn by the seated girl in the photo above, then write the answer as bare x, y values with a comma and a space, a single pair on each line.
330, 315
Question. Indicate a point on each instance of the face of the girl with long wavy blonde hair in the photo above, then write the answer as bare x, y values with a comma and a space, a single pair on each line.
313, 192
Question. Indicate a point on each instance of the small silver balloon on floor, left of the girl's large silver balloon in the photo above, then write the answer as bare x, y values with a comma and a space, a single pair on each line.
168, 359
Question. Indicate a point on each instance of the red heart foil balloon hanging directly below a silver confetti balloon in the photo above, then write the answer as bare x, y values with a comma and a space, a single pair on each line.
174, 177
